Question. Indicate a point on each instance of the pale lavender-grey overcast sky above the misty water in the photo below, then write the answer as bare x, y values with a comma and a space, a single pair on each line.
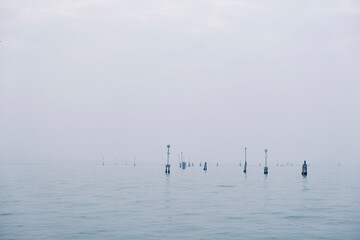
84, 79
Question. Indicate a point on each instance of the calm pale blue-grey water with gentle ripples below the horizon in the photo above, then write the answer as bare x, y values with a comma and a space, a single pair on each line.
126, 202
